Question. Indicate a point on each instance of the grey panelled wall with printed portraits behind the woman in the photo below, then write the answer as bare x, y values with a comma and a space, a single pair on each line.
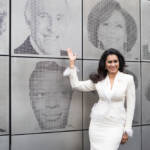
38, 109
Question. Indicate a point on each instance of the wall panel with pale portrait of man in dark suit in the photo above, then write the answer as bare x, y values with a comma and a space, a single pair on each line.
46, 27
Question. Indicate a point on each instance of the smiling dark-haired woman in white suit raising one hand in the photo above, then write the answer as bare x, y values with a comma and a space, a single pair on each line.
111, 119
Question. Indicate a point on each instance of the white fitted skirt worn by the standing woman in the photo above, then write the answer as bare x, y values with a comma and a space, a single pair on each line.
105, 133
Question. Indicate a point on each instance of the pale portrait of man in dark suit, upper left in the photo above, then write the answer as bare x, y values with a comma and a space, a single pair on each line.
47, 20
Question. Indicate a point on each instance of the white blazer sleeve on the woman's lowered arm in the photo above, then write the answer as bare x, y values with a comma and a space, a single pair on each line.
130, 99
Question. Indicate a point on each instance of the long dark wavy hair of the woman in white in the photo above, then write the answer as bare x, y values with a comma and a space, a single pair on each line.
101, 71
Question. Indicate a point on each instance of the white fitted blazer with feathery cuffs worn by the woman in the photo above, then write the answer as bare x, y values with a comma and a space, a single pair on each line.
123, 90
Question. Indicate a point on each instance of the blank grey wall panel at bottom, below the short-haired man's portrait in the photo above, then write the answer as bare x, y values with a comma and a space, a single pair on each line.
53, 141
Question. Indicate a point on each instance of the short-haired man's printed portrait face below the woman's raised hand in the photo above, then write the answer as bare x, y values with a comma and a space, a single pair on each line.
50, 95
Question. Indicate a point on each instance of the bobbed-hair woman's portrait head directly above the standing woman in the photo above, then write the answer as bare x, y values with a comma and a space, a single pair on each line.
111, 26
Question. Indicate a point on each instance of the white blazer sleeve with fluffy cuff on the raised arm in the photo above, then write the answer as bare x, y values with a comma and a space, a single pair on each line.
84, 86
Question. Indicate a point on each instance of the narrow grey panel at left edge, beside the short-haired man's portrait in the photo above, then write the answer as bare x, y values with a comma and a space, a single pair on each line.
4, 95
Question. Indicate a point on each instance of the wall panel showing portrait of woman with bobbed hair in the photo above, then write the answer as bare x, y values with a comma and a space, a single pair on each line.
111, 24
